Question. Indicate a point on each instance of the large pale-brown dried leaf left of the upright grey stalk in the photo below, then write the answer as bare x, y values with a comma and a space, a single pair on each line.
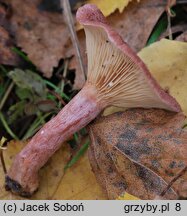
42, 35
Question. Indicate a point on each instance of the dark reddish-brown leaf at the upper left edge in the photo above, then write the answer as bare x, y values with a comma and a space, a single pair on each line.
7, 56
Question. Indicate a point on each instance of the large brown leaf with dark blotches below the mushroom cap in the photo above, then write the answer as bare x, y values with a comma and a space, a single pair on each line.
139, 151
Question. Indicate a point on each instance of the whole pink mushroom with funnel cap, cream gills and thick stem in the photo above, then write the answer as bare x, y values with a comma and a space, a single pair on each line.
116, 76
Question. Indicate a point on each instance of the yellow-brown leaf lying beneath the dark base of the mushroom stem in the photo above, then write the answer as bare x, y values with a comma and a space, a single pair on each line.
50, 175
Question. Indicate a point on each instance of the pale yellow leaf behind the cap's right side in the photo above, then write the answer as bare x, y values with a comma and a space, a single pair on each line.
167, 62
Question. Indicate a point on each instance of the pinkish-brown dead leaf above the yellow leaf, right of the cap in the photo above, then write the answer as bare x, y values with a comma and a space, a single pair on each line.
137, 21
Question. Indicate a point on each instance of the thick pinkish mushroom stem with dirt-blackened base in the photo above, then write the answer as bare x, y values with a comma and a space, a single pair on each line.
22, 178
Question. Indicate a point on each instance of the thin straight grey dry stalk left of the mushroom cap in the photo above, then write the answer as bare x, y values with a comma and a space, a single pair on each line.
67, 14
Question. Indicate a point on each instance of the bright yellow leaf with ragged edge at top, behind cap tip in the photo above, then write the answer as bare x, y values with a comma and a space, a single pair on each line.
109, 6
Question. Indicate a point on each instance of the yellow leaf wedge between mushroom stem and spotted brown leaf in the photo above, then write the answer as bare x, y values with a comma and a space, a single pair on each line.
79, 183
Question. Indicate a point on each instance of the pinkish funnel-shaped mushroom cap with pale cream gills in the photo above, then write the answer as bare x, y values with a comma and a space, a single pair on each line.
120, 76
